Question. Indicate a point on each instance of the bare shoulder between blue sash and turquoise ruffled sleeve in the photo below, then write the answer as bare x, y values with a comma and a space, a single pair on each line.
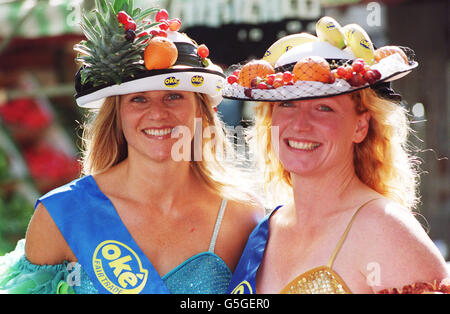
45, 244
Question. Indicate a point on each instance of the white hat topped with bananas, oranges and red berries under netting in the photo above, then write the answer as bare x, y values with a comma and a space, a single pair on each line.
338, 60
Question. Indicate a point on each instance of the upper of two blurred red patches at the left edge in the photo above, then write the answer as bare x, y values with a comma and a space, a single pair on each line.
26, 113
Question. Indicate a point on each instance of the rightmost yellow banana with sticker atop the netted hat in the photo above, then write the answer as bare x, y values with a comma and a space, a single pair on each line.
359, 41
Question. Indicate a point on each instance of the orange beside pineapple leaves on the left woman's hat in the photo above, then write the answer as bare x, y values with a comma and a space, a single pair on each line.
160, 53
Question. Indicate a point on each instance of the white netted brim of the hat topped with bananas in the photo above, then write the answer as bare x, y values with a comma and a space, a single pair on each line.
391, 68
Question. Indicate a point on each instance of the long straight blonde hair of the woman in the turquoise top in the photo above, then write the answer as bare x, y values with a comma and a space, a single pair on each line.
104, 146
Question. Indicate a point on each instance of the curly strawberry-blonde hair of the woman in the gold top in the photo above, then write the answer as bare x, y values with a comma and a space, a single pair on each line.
383, 160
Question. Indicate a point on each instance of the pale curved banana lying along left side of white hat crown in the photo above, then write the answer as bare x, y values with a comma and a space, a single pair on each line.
284, 44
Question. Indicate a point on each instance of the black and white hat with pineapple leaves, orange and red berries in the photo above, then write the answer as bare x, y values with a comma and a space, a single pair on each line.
129, 50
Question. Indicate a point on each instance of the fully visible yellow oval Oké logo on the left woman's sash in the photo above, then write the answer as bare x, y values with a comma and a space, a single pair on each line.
118, 268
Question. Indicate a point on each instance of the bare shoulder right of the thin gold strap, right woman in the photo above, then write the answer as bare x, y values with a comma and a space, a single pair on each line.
390, 236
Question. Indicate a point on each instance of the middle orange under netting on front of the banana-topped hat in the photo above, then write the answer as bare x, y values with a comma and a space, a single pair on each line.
312, 69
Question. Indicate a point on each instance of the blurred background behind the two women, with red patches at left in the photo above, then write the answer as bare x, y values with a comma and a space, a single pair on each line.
40, 122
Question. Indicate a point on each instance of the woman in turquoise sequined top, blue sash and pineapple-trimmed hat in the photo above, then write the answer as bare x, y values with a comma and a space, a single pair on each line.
143, 218
